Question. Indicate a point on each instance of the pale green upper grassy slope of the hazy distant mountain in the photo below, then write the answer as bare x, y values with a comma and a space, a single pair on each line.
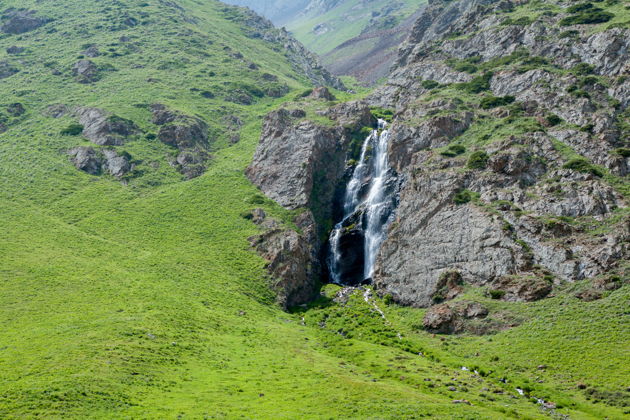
346, 21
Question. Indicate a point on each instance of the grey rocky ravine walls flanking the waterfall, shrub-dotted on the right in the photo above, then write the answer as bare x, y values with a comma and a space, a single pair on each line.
512, 144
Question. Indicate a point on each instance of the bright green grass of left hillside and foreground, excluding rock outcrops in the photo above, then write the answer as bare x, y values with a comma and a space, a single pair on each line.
144, 300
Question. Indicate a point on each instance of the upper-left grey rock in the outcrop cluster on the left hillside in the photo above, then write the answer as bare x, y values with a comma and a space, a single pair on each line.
103, 128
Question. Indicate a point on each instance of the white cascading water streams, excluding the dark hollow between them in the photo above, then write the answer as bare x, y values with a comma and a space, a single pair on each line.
372, 208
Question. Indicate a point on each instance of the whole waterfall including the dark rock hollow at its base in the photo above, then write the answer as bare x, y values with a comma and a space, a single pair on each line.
368, 205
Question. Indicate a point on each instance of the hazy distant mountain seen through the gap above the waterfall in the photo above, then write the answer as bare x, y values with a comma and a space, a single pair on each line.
356, 38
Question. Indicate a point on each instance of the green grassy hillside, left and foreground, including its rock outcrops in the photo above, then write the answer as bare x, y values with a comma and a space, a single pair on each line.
136, 294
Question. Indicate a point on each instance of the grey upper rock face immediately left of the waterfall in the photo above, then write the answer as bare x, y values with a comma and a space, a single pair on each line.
299, 163
